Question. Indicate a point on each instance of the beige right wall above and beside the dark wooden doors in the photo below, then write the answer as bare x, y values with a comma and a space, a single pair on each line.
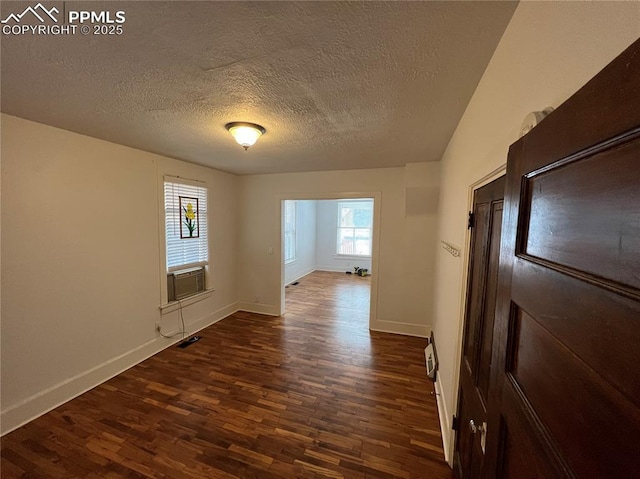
549, 50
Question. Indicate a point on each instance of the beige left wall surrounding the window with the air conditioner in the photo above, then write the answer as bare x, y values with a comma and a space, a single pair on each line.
81, 265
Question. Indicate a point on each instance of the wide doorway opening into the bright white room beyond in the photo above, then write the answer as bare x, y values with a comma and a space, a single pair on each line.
329, 255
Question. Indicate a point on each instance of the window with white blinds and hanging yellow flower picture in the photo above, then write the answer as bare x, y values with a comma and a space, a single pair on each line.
185, 207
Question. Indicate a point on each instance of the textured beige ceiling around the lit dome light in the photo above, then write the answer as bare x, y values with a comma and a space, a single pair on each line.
337, 85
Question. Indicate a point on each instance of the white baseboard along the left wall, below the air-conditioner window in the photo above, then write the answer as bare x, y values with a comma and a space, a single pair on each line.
52, 397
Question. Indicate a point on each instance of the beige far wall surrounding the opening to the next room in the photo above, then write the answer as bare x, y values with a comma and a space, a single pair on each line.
403, 275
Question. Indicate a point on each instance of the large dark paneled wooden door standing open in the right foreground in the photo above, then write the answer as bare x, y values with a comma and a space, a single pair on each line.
565, 392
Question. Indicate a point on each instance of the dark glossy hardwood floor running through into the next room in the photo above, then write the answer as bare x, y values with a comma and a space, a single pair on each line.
311, 394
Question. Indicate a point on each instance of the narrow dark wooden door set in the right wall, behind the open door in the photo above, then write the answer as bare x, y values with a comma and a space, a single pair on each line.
475, 366
